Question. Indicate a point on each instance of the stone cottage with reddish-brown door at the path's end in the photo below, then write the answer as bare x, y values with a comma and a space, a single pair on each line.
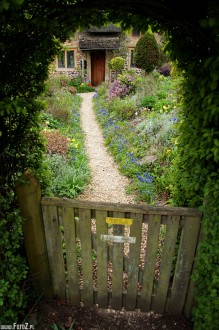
88, 52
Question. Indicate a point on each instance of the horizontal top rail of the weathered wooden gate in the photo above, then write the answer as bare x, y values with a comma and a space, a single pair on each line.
133, 208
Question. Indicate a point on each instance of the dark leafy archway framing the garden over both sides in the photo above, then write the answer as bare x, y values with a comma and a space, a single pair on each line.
31, 32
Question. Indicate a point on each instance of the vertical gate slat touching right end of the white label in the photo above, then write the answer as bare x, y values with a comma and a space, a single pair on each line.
133, 262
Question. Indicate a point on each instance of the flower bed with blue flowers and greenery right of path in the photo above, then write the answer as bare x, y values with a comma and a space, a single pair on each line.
140, 130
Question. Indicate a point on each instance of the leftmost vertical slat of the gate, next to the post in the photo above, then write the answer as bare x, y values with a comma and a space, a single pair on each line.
55, 250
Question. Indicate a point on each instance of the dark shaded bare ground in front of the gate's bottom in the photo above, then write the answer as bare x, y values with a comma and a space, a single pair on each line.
59, 312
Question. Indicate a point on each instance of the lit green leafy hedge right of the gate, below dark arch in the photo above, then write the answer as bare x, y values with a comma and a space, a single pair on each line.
196, 169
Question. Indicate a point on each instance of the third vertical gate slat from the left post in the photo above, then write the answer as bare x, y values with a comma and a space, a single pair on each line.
86, 253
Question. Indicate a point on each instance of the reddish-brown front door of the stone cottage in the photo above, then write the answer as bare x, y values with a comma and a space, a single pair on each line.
97, 67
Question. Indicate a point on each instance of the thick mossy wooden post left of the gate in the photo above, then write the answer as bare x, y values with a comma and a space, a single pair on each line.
29, 197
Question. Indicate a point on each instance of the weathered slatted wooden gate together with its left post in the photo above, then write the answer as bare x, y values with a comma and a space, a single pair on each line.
112, 255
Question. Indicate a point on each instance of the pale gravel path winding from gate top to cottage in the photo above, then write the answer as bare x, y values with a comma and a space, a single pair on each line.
107, 184
